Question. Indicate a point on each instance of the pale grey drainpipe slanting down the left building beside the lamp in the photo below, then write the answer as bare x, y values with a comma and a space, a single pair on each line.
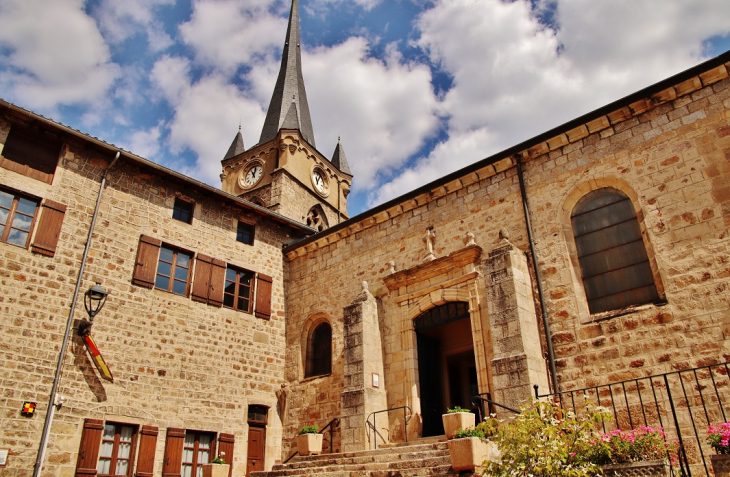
55, 402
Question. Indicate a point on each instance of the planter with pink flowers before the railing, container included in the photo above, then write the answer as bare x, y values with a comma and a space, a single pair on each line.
644, 450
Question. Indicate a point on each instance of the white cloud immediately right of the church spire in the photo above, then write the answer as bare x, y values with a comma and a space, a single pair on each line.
384, 110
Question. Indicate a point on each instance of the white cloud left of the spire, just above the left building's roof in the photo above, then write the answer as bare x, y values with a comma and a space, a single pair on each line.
207, 113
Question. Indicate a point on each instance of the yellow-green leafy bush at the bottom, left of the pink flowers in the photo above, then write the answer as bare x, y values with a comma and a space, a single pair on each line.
545, 441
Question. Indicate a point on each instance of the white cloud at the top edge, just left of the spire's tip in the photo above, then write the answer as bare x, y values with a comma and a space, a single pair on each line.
228, 33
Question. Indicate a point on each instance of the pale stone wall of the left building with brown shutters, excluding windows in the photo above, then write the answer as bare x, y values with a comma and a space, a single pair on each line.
176, 363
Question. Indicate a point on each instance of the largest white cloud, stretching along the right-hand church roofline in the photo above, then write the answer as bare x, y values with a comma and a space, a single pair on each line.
515, 77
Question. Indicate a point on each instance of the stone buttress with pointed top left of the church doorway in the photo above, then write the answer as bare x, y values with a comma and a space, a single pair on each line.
363, 360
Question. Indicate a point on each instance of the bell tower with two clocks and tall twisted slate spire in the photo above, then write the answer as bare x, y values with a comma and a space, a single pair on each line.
285, 172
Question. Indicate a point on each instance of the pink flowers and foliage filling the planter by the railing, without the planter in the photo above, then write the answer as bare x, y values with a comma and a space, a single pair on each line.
622, 447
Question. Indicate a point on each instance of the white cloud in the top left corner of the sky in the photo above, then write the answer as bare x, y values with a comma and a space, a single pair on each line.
56, 54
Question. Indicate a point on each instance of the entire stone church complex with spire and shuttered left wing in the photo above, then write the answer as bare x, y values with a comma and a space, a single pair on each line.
151, 322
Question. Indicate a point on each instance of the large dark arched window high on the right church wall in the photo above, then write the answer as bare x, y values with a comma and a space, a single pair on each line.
613, 261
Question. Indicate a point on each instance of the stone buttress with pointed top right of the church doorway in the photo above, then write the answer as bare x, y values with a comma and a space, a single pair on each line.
518, 363
